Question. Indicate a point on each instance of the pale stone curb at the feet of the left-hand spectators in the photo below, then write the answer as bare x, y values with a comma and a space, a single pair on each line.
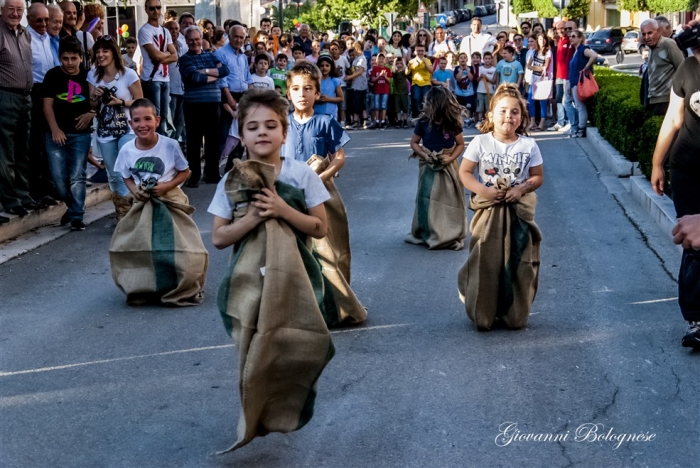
17, 226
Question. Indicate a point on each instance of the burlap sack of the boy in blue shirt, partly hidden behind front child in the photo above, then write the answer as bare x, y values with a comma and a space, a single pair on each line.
341, 306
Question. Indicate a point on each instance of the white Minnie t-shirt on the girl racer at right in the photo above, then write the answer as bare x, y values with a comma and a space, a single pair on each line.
497, 159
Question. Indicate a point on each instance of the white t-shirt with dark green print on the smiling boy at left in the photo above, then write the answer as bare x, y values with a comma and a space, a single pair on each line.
162, 162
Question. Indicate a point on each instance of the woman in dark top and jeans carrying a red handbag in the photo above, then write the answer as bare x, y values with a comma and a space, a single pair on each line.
581, 66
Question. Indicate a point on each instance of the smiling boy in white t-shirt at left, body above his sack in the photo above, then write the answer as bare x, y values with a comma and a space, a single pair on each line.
152, 164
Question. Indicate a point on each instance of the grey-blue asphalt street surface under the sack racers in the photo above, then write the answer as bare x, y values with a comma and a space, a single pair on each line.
86, 381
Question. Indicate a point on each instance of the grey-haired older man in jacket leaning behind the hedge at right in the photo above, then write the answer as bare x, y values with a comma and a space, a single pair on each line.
664, 59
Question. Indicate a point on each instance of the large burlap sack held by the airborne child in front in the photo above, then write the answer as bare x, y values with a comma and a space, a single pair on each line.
269, 302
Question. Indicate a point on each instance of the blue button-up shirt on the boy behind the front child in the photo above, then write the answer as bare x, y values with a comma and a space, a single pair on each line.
321, 135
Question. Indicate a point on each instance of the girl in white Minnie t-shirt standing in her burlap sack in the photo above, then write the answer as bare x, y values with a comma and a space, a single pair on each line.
500, 278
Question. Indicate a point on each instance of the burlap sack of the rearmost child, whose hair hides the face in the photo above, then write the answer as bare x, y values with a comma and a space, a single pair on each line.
440, 218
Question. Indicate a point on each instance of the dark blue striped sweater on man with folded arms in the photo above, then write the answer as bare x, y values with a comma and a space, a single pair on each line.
196, 87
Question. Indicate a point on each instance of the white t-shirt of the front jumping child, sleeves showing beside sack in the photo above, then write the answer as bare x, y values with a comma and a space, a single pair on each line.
295, 173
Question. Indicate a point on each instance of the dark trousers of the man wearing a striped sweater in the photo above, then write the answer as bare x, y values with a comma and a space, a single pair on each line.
202, 121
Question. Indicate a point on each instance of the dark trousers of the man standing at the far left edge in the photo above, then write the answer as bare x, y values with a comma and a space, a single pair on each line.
15, 120
